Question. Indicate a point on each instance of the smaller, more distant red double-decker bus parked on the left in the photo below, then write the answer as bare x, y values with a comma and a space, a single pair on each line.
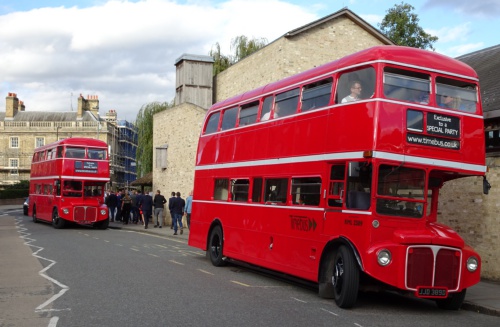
67, 183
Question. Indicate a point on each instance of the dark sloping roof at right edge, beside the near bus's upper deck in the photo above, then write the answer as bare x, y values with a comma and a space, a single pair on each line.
486, 63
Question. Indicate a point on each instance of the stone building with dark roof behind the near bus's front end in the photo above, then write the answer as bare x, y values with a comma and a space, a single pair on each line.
463, 206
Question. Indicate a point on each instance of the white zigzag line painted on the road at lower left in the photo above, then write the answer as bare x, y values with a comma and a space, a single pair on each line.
41, 308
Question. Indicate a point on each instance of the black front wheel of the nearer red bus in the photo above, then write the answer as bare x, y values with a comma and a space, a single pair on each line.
345, 278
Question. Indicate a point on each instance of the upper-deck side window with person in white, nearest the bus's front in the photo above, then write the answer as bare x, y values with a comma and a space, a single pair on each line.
356, 85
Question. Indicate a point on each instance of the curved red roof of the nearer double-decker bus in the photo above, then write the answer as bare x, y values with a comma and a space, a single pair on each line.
424, 59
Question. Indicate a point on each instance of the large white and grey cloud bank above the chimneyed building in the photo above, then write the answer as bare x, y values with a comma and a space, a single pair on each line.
123, 51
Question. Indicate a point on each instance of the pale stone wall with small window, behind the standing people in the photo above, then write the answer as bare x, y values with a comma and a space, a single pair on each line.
179, 128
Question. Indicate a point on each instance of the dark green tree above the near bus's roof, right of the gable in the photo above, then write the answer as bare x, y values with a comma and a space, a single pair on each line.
400, 24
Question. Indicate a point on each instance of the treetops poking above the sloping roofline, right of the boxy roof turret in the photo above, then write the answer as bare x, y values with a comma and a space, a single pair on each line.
242, 47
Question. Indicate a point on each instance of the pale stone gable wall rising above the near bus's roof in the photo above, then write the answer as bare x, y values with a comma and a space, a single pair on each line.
290, 55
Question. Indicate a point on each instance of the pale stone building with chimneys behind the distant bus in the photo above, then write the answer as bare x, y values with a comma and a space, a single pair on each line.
22, 131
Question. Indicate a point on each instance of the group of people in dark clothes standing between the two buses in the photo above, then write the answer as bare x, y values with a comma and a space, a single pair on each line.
124, 206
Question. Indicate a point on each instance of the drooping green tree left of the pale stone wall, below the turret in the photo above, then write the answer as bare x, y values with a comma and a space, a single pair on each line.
144, 123
